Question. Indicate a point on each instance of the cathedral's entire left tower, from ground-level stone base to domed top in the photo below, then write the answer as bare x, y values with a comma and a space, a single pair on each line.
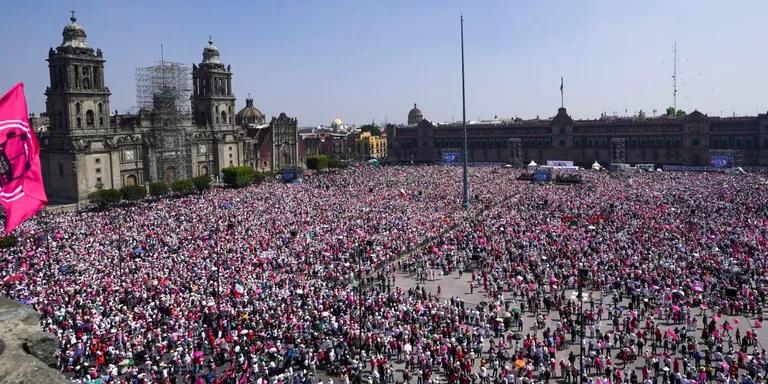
74, 161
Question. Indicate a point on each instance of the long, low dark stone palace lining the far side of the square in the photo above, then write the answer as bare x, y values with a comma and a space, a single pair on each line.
693, 139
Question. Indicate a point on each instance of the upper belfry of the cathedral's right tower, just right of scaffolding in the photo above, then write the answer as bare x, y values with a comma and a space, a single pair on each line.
213, 102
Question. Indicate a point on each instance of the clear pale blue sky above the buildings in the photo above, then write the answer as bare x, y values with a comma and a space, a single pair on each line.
365, 60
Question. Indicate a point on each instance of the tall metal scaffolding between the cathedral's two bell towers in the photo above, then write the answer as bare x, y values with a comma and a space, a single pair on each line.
163, 91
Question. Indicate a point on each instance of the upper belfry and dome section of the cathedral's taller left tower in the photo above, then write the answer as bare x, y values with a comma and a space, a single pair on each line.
77, 101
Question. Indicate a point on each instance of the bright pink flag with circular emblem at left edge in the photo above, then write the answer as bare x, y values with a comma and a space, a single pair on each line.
22, 193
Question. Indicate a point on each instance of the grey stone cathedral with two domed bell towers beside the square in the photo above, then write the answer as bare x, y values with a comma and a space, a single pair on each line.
85, 148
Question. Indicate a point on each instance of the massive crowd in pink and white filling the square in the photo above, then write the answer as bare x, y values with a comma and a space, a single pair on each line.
283, 283
